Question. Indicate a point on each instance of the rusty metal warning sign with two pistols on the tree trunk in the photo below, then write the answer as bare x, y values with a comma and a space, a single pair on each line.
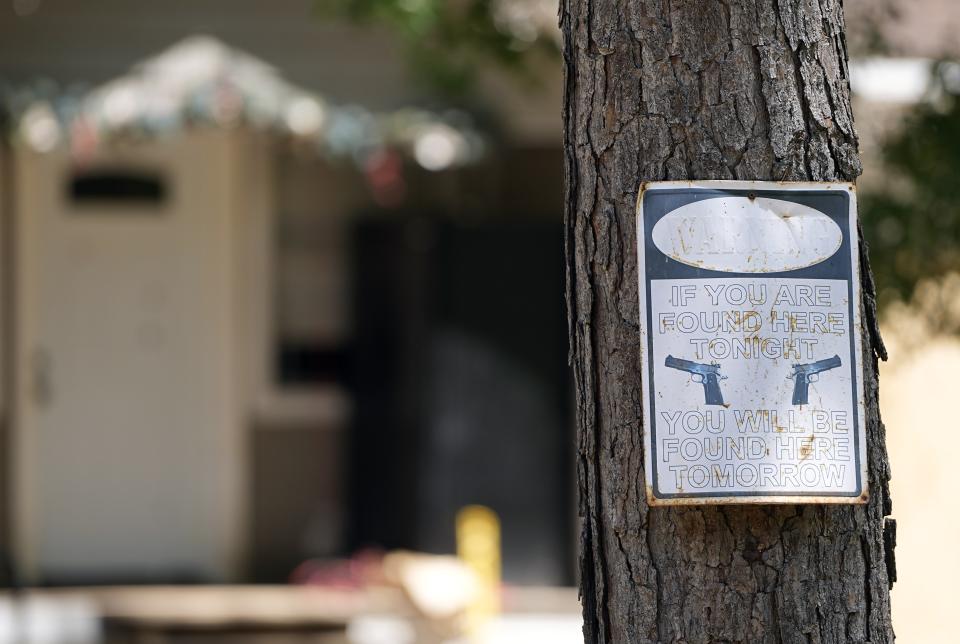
750, 321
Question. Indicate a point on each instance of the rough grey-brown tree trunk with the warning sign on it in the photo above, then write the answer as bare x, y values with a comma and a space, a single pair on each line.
703, 89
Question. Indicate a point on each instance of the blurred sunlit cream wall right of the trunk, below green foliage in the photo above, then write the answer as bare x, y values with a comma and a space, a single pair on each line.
918, 397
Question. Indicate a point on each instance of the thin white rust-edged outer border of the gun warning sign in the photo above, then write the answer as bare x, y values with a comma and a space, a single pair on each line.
856, 329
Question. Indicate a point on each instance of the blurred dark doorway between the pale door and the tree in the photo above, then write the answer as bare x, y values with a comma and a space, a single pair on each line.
461, 389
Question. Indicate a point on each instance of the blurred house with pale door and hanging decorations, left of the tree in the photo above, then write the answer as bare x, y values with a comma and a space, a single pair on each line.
257, 312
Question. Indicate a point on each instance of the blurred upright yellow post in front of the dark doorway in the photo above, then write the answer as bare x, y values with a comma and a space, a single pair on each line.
478, 546
